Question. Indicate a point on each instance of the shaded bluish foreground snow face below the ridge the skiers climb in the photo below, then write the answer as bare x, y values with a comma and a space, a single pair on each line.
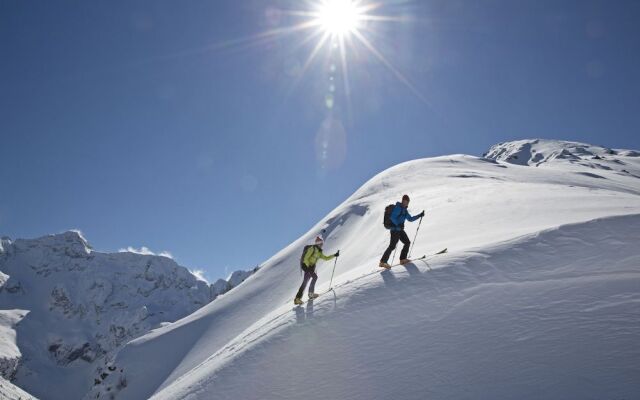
546, 302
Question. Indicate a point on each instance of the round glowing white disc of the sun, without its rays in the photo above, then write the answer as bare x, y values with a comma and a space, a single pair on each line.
339, 17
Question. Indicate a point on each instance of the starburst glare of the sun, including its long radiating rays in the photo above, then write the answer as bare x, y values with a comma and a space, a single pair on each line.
335, 28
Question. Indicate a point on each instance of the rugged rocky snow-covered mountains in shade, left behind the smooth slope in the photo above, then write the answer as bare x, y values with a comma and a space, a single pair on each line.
81, 306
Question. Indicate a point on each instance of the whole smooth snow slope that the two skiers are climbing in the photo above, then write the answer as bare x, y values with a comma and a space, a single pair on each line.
537, 298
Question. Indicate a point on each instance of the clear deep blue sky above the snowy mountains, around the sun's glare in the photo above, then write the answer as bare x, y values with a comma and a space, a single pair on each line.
153, 123
